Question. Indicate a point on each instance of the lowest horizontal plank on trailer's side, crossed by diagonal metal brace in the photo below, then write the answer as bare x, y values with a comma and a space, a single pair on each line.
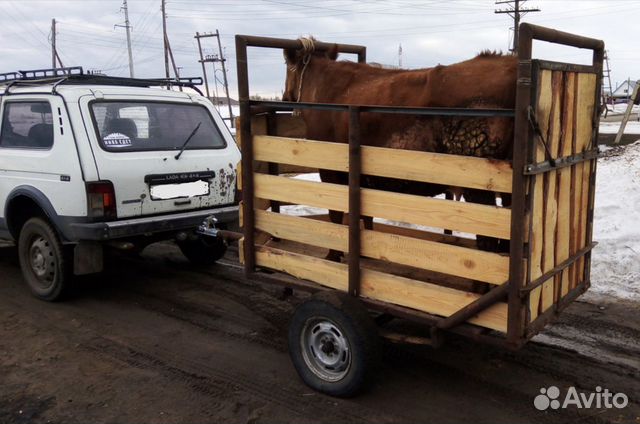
418, 295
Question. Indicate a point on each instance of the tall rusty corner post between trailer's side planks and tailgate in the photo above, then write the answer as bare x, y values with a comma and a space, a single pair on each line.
516, 312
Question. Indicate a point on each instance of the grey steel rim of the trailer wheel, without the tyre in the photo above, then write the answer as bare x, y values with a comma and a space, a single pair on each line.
325, 349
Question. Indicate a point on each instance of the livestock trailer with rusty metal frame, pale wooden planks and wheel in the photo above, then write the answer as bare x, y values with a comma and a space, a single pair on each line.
418, 270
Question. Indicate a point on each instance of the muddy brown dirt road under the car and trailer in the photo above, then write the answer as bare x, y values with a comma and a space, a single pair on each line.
153, 340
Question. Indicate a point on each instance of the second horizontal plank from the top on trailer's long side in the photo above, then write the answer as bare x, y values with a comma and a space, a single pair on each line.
473, 218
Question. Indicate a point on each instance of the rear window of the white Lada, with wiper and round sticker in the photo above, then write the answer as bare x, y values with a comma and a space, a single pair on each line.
139, 126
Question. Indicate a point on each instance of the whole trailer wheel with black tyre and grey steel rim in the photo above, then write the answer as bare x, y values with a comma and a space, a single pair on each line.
334, 344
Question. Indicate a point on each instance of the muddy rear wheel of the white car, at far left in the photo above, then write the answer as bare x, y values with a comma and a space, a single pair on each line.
44, 261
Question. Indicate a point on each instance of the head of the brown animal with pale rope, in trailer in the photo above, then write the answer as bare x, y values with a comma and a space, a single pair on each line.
297, 61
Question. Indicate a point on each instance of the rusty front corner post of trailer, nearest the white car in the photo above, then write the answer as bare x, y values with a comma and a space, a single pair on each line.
247, 157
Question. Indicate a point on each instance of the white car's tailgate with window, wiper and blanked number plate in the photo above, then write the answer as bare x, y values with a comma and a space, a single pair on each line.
150, 180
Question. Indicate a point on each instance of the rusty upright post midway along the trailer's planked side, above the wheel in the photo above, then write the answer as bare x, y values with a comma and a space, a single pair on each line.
355, 167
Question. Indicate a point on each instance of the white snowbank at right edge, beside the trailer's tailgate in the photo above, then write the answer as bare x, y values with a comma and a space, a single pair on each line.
616, 260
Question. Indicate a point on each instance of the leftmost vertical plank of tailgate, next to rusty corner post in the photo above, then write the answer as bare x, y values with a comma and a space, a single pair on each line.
543, 109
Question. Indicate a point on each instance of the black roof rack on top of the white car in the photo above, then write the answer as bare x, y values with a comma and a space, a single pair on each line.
76, 75
